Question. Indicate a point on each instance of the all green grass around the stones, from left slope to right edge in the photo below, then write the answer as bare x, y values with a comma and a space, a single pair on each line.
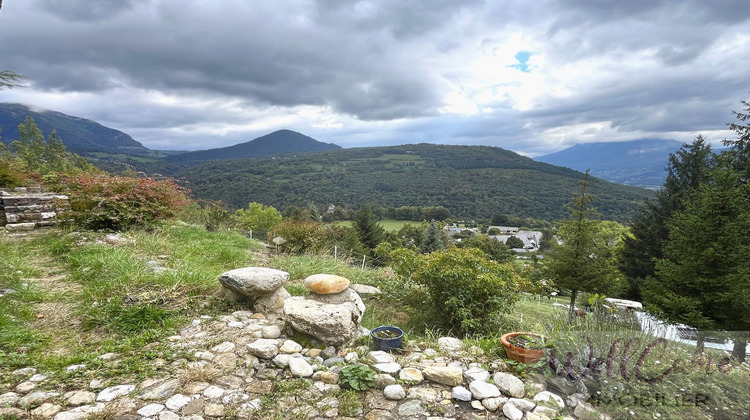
77, 298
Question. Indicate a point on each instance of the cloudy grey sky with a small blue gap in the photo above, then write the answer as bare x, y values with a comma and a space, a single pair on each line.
534, 77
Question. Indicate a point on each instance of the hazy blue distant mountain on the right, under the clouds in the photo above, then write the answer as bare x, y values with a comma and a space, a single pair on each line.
639, 162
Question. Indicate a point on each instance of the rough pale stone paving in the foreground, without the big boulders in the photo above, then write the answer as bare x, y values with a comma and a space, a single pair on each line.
247, 353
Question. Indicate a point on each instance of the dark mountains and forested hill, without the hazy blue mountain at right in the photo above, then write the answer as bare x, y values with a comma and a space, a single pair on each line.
286, 168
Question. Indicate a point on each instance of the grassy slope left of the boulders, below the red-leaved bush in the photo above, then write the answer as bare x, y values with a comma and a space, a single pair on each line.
77, 297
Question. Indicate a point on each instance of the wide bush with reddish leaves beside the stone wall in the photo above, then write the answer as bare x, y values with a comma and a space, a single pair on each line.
100, 201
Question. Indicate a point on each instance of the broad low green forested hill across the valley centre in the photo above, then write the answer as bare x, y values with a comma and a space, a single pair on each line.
471, 181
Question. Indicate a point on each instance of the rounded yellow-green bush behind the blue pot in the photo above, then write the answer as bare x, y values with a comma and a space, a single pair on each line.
466, 292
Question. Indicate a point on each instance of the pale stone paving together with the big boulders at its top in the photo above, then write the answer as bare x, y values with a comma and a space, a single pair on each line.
236, 359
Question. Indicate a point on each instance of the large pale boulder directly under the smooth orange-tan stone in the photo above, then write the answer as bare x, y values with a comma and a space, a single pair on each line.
331, 323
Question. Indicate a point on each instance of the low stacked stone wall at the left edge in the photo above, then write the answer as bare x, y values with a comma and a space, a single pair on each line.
29, 208
